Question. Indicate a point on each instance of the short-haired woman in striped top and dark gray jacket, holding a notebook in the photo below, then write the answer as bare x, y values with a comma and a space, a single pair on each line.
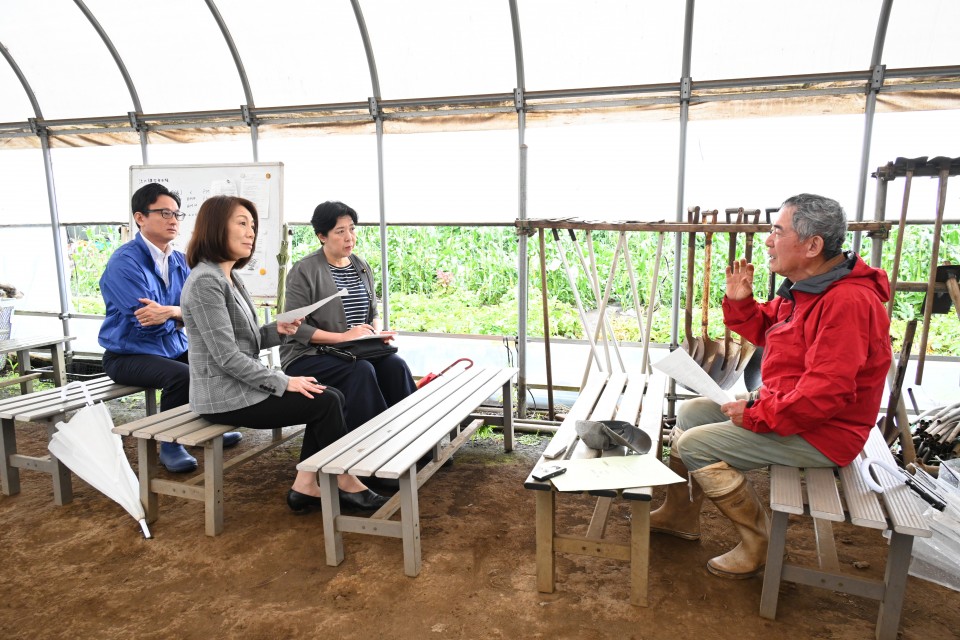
369, 386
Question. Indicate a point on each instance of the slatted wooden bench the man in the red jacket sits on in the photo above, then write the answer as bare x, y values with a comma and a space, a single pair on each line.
817, 493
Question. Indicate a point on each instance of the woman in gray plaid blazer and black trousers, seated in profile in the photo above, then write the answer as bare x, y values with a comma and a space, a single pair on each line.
228, 383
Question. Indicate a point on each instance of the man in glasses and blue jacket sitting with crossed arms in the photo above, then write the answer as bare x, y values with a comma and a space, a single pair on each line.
142, 334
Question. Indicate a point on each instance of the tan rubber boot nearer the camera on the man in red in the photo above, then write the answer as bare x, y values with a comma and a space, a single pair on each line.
737, 499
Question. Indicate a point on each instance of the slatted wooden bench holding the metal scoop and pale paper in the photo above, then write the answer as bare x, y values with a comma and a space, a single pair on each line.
636, 399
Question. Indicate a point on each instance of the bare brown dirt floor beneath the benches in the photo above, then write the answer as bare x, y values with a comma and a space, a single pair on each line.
84, 570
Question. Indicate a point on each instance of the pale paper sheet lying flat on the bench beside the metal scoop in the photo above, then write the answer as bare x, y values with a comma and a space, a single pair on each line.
614, 472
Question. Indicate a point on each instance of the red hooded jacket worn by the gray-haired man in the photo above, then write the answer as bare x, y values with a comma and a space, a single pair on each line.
826, 357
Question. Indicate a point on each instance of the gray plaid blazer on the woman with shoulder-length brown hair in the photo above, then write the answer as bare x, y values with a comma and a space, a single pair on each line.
225, 368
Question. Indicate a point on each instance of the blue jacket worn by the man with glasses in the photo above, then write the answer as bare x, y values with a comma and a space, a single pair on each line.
132, 274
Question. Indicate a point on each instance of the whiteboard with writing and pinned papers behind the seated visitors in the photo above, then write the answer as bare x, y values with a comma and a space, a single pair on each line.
261, 183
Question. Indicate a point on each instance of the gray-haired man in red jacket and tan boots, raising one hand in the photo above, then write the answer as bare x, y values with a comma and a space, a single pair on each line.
826, 356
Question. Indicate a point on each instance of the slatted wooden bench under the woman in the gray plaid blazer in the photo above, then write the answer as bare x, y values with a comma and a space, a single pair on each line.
184, 427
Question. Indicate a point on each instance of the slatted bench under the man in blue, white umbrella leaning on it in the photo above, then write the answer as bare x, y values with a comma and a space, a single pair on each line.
48, 407
